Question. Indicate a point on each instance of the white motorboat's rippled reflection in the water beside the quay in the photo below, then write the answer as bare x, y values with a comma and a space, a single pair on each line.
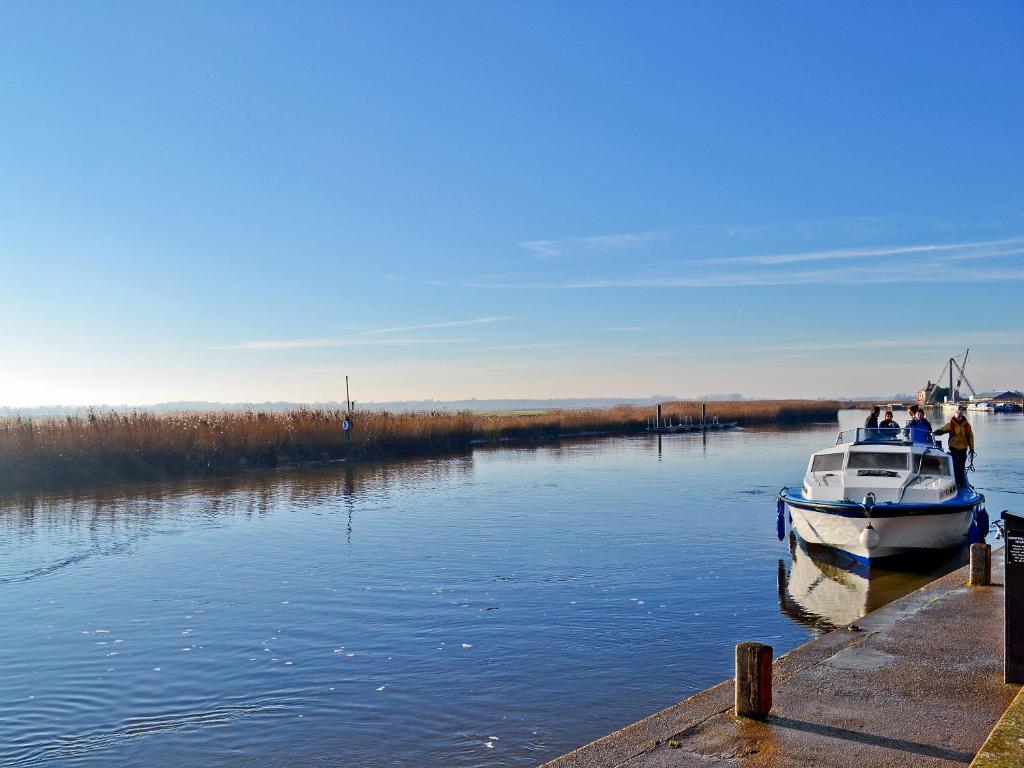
825, 589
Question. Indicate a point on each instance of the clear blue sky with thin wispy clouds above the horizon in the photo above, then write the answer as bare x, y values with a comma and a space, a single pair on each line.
249, 201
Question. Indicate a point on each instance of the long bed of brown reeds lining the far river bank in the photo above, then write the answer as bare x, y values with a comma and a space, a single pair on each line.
141, 446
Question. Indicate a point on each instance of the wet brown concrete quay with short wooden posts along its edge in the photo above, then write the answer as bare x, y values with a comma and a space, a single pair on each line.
916, 684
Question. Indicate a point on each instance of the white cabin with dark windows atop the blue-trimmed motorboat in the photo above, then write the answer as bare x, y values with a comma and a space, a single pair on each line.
884, 462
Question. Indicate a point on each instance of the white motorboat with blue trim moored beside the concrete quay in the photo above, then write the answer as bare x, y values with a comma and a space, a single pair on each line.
879, 493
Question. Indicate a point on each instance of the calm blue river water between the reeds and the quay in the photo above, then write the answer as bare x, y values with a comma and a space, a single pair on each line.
493, 610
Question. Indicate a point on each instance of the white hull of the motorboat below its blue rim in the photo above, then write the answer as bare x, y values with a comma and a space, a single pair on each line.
897, 535
